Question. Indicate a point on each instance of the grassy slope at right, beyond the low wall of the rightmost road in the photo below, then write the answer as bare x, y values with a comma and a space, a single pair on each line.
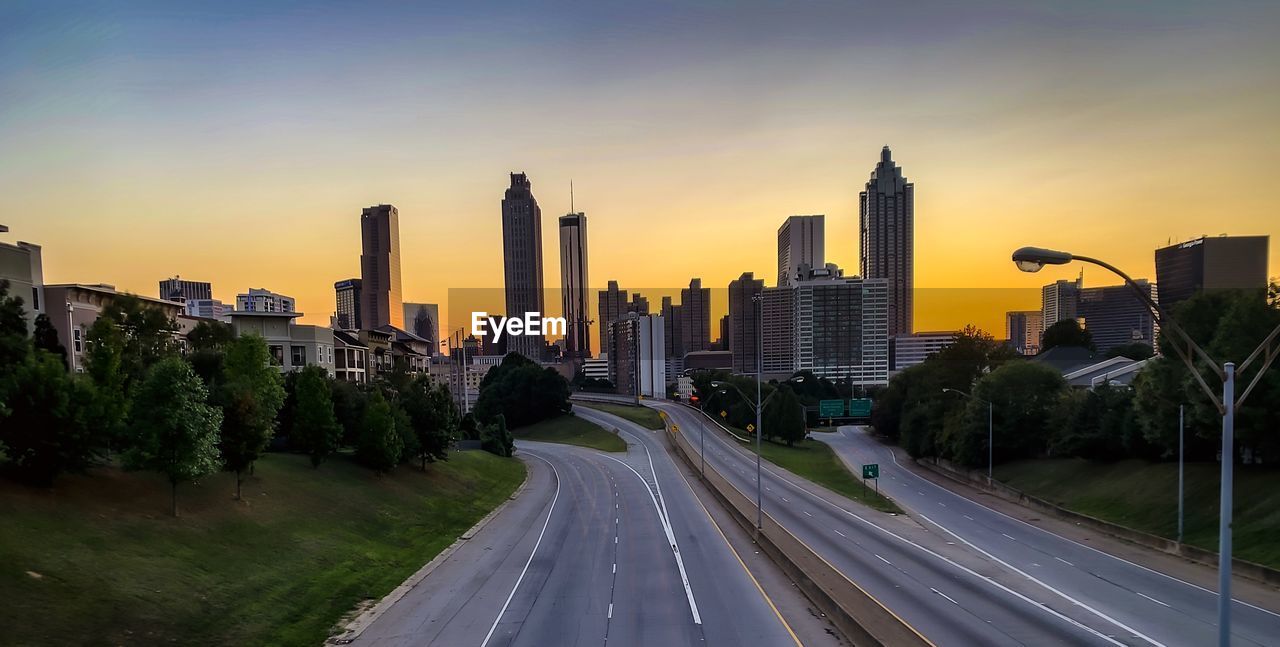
1145, 496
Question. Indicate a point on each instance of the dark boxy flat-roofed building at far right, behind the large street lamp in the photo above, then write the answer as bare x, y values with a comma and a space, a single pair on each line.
1218, 263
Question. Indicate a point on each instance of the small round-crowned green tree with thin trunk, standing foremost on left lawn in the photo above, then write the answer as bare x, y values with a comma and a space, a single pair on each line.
177, 431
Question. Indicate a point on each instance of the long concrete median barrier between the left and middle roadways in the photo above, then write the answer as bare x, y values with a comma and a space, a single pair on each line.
863, 619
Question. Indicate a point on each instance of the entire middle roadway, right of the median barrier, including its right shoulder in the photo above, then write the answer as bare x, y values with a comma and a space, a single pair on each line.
945, 590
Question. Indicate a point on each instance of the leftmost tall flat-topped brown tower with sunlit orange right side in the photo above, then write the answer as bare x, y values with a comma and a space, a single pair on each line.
380, 268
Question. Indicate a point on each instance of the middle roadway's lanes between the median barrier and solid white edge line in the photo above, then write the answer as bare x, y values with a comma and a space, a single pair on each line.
917, 585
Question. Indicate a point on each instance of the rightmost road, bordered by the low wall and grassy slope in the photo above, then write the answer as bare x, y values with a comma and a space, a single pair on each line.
1163, 609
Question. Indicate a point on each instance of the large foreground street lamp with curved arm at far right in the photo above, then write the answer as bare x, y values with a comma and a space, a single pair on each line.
1034, 259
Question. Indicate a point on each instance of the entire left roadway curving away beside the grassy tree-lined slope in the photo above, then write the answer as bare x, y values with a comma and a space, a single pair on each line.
598, 549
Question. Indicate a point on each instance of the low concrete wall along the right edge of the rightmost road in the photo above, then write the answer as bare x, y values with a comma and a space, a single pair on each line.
1249, 569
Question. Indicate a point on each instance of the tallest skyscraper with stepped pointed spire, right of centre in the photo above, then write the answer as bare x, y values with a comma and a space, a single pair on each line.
888, 229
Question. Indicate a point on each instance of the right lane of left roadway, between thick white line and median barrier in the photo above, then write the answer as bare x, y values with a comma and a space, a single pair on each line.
733, 609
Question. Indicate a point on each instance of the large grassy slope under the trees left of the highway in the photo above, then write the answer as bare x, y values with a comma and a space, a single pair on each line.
98, 561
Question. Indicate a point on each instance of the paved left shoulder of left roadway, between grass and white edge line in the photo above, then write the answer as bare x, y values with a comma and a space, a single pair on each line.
456, 604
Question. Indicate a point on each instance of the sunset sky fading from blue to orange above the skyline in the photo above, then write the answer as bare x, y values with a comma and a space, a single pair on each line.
237, 143
